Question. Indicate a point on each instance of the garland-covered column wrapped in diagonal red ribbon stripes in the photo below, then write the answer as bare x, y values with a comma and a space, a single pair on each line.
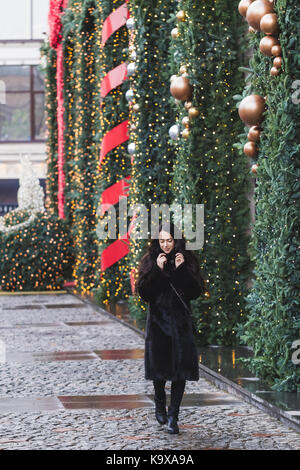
114, 164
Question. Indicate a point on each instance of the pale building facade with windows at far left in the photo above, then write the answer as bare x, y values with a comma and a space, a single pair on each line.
23, 28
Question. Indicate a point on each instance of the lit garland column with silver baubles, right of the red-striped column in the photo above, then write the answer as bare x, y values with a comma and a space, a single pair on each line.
151, 115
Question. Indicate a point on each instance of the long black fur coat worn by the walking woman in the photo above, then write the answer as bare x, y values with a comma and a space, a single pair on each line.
170, 350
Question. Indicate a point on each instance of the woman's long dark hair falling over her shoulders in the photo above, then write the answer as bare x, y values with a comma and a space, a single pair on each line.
149, 258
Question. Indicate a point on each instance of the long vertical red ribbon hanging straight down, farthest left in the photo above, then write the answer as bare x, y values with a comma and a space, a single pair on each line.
55, 27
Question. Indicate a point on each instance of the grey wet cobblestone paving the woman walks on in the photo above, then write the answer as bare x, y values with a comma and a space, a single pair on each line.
236, 425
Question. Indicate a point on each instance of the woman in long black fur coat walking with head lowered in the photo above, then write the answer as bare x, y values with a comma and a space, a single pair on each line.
170, 350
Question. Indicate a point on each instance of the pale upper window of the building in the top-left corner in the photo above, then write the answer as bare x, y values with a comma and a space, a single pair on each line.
23, 19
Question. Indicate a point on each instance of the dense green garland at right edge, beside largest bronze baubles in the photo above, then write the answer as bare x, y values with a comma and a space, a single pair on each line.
273, 322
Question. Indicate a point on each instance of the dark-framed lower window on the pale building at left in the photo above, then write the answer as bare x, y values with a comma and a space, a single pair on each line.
22, 104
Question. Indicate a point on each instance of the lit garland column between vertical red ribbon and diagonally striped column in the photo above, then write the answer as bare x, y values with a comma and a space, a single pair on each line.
81, 46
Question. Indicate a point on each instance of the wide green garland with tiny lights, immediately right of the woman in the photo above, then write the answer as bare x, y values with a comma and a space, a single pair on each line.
208, 169
